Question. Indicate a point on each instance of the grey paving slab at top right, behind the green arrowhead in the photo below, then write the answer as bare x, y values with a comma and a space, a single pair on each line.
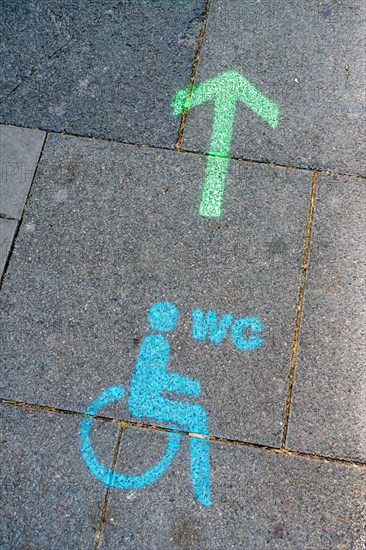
308, 57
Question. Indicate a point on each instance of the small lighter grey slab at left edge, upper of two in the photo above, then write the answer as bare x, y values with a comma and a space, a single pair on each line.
19, 150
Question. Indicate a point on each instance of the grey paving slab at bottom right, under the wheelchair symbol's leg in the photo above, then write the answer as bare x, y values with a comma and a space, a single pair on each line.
259, 500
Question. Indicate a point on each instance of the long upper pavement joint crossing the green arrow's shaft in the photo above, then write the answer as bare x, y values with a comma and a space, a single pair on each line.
269, 163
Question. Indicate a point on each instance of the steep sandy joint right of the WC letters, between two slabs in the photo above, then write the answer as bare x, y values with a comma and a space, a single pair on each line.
299, 307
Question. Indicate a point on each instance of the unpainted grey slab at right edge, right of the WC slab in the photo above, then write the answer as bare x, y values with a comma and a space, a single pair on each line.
328, 413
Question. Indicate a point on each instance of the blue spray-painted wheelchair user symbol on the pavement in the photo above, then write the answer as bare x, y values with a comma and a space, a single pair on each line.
146, 399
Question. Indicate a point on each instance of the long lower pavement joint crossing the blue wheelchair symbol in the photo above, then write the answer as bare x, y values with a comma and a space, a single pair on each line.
124, 423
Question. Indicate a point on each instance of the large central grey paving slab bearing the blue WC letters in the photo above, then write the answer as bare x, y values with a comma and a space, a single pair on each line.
110, 230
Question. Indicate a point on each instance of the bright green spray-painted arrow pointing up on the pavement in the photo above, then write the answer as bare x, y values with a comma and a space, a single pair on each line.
225, 90
